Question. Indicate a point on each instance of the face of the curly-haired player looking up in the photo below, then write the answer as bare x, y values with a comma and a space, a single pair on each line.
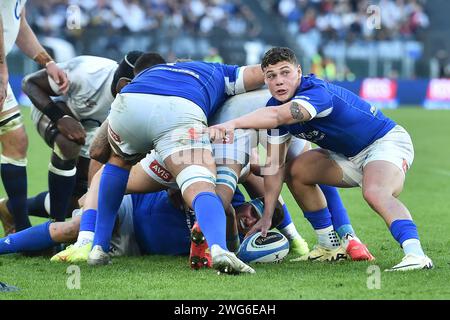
282, 80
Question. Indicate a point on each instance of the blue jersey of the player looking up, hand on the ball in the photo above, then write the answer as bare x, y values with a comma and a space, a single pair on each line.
341, 121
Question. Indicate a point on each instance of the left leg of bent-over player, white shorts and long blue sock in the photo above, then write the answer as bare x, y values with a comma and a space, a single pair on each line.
130, 136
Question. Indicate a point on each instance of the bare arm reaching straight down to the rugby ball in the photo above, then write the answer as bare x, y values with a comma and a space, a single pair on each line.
273, 183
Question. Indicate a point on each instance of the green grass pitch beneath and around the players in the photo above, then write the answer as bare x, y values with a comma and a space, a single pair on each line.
426, 194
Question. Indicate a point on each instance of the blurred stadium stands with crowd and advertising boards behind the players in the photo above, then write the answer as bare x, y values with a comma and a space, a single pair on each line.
343, 41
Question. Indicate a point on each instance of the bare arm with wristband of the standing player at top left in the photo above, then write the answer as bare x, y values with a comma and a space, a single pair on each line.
29, 44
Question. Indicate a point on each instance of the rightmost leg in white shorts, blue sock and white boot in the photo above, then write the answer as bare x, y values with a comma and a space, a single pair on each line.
383, 178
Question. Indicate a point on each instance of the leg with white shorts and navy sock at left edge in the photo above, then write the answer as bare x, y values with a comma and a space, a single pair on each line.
14, 143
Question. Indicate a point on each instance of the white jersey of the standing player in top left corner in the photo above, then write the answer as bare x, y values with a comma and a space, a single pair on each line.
10, 11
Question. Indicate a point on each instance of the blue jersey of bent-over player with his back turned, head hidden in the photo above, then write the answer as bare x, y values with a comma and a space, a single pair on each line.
206, 84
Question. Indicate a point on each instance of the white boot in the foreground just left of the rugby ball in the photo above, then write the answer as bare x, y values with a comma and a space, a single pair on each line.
226, 262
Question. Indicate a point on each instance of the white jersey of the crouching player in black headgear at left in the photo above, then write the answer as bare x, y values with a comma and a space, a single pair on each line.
89, 96
